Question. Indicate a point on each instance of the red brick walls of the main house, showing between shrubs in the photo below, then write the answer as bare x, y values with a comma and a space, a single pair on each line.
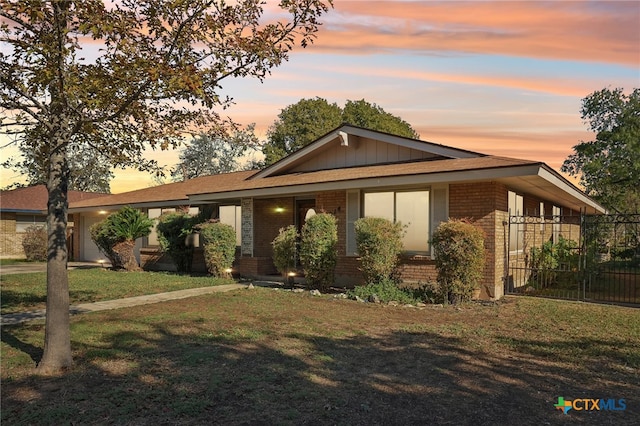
484, 203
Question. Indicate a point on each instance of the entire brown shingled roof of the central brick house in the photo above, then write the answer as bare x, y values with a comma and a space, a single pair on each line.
292, 176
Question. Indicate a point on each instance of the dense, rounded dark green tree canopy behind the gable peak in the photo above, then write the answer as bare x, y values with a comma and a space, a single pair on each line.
301, 123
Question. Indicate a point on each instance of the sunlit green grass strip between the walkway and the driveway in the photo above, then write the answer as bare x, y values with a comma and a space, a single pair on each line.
22, 292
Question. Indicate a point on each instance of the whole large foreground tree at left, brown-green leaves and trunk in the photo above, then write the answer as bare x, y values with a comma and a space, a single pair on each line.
152, 78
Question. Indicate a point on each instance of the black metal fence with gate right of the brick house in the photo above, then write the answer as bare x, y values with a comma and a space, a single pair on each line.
580, 257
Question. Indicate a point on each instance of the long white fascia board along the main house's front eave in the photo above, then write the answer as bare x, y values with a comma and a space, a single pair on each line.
375, 182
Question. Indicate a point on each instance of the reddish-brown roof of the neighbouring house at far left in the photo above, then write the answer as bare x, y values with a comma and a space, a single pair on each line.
33, 199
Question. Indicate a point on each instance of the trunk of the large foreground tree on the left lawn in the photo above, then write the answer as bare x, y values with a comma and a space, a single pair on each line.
57, 338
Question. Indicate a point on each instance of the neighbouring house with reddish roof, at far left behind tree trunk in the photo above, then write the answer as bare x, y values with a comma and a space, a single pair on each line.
24, 207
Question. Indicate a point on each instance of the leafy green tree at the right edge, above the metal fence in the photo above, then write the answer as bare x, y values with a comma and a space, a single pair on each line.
609, 166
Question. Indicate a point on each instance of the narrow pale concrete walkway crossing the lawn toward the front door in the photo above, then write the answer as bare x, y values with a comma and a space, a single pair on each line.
21, 317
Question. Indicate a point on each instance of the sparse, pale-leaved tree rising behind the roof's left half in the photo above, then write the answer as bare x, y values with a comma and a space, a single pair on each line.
208, 156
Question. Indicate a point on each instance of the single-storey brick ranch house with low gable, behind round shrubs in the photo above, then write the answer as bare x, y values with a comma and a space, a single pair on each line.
353, 172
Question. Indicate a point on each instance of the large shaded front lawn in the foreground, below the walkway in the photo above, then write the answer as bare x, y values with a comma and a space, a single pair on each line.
262, 356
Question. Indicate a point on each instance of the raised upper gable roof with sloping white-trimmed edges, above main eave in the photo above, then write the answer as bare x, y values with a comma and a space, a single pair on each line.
347, 134
